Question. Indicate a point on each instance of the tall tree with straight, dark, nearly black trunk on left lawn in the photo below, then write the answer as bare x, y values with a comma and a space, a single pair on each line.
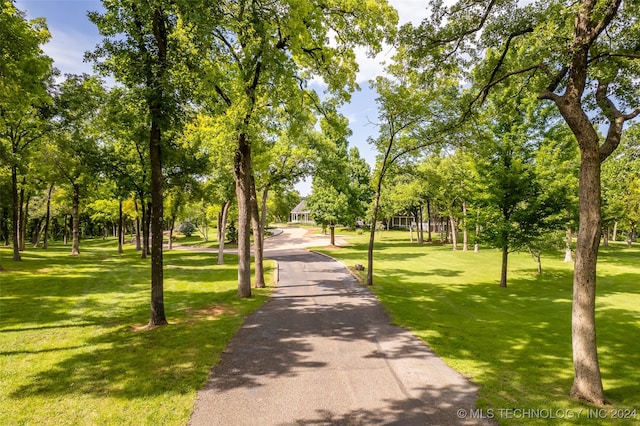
144, 49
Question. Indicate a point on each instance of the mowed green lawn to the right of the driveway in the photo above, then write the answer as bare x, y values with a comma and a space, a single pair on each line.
515, 343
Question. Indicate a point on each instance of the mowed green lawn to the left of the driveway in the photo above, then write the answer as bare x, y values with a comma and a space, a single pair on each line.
73, 346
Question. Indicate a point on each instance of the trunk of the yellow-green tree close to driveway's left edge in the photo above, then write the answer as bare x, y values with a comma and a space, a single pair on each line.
242, 175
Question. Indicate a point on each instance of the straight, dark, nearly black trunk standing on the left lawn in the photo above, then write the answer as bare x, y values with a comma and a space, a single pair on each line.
158, 316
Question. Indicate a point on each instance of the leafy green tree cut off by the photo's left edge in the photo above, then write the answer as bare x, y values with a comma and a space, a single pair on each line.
25, 72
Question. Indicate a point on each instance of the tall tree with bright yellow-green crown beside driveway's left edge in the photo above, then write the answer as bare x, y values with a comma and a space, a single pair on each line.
263, 55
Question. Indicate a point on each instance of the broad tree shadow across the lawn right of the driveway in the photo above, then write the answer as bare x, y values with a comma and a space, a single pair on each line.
516, 342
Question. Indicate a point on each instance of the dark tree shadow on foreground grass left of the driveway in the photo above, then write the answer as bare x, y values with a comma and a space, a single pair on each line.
129, 364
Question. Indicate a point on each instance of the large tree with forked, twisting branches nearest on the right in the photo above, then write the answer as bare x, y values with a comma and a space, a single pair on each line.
583, 57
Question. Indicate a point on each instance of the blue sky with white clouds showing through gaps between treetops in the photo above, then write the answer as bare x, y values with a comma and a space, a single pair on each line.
73, 34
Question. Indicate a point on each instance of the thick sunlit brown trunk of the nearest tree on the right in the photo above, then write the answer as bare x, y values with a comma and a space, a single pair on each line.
587, 382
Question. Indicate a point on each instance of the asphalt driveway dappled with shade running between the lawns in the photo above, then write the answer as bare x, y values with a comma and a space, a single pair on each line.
321, 352
